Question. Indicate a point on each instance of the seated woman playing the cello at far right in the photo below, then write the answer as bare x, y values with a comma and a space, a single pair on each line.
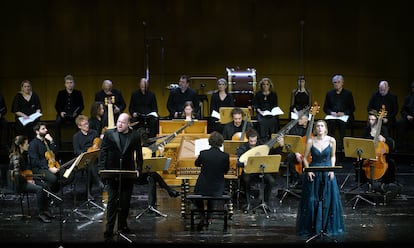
370, 132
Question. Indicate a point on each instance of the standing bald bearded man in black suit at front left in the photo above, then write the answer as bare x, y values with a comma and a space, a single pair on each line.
120, 150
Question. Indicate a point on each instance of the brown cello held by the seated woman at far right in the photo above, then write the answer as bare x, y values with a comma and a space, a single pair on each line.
375, 168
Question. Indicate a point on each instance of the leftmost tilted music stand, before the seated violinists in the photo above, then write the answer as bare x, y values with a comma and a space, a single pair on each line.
83, 161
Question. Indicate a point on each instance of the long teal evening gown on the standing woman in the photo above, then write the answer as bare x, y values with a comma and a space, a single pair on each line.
320, 206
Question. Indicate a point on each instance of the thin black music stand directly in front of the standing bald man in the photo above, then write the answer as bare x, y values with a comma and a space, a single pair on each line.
121, 174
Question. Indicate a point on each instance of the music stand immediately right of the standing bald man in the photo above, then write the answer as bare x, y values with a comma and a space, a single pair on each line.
154, 165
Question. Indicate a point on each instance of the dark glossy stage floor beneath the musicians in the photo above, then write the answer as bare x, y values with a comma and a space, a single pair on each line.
390, 222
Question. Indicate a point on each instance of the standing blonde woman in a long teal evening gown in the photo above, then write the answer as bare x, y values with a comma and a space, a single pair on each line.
320, 207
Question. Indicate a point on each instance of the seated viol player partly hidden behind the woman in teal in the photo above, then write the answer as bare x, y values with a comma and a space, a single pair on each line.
294, 159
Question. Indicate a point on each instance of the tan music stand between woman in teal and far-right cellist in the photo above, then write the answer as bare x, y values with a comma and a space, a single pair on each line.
360, 149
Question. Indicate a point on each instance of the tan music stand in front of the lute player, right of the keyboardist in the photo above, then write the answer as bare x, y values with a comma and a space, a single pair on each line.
262, 165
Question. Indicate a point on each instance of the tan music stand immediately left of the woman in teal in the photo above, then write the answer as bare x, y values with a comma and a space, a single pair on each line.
293, 143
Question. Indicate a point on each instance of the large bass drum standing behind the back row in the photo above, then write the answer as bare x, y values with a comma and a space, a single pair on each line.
242, 85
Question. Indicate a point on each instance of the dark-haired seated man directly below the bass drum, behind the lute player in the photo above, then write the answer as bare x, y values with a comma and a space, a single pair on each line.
235, 126
